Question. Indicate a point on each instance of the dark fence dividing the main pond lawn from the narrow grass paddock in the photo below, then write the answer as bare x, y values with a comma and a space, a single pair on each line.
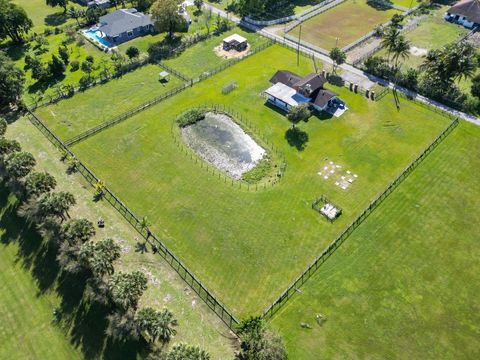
90, 132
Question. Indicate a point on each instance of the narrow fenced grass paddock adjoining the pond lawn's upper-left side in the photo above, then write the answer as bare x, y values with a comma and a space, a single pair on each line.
87, 109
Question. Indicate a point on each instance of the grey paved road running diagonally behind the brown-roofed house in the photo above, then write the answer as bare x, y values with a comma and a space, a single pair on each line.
345, 67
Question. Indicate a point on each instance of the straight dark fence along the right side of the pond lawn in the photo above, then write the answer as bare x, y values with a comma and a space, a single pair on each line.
307, 273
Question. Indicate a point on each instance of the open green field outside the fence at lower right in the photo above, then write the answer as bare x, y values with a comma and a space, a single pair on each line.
406, 283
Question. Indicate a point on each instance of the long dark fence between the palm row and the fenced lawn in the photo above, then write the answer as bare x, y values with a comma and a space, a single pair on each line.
207, 296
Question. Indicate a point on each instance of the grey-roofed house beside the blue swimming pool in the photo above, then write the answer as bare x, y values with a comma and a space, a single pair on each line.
125, 24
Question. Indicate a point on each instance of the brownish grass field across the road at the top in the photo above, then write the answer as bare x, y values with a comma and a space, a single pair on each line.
346, 22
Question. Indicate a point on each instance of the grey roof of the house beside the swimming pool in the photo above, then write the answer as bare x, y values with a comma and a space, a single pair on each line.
120, 21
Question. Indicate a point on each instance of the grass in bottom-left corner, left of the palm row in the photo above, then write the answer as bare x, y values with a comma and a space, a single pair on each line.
27, 330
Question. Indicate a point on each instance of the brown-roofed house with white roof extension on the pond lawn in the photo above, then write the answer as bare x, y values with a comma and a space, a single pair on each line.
290, 90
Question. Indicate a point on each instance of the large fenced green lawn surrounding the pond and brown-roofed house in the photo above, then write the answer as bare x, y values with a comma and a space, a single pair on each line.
246, 245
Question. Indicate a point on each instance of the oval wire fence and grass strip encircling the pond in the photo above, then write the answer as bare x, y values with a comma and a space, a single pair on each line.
267, 182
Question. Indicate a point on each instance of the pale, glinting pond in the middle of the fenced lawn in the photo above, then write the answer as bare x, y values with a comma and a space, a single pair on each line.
221, 142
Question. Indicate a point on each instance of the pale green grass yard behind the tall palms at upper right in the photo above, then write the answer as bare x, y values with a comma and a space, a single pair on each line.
431, 33
